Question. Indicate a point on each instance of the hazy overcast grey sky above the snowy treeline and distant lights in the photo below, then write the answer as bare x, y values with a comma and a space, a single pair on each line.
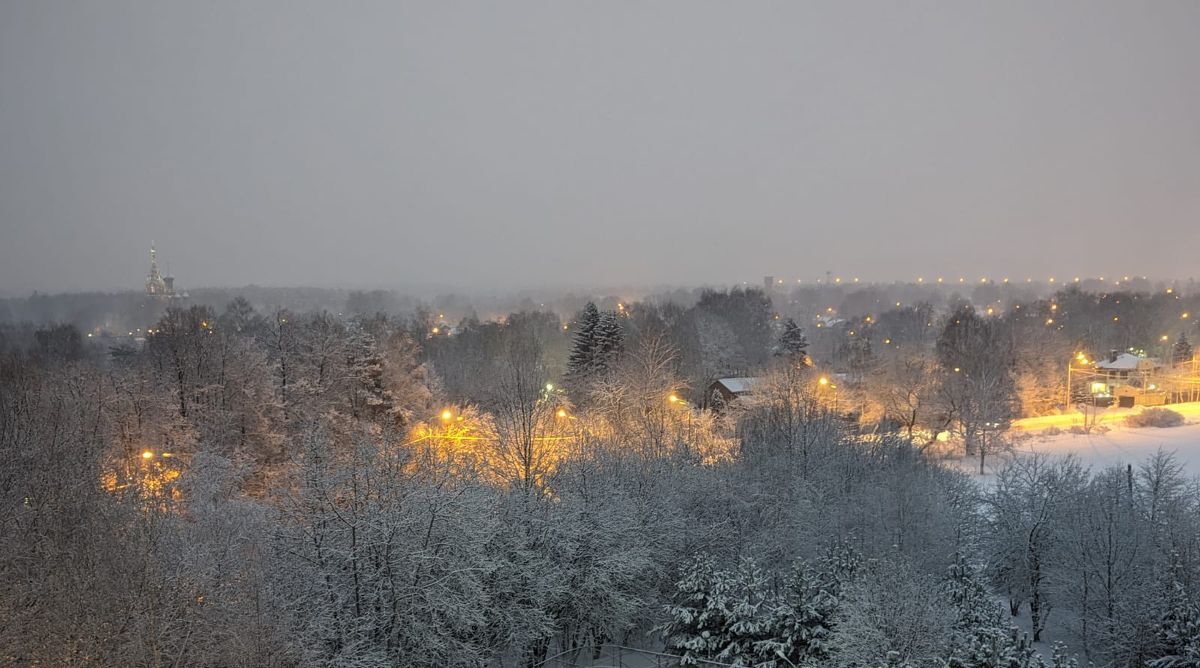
513, 145
